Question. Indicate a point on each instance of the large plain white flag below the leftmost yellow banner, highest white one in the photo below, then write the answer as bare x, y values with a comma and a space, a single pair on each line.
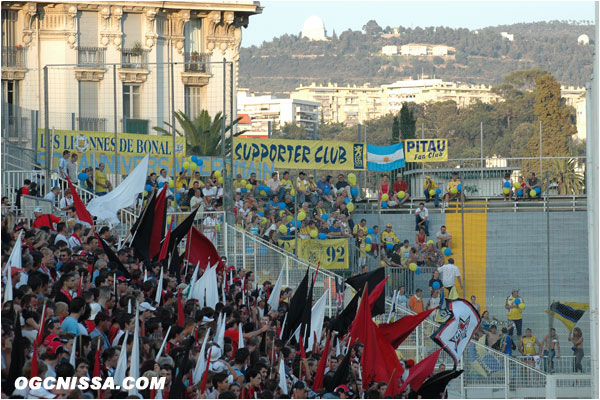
124, 195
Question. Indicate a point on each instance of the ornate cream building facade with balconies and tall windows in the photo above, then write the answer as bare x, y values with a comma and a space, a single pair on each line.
117, 66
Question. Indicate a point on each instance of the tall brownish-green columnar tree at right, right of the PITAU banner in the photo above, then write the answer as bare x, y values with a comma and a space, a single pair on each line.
557, 128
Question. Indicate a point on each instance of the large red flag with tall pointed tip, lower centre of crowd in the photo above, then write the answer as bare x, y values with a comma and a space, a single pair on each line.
379, 358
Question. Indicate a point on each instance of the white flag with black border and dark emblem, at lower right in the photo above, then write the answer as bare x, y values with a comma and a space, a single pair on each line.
454, 334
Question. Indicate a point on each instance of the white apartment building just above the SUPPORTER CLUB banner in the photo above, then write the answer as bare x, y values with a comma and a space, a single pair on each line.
262, 109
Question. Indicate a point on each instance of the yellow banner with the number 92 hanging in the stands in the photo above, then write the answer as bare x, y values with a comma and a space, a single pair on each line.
332, 253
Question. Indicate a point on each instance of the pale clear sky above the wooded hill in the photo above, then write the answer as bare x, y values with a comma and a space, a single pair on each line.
280, 17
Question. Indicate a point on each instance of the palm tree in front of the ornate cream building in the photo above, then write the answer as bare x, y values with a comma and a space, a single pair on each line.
202, 134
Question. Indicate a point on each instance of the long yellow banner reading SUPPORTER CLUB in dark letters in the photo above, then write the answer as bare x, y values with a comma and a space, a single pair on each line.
302, 154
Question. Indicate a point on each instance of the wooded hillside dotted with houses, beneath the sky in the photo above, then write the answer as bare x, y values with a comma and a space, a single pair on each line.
482, 56
